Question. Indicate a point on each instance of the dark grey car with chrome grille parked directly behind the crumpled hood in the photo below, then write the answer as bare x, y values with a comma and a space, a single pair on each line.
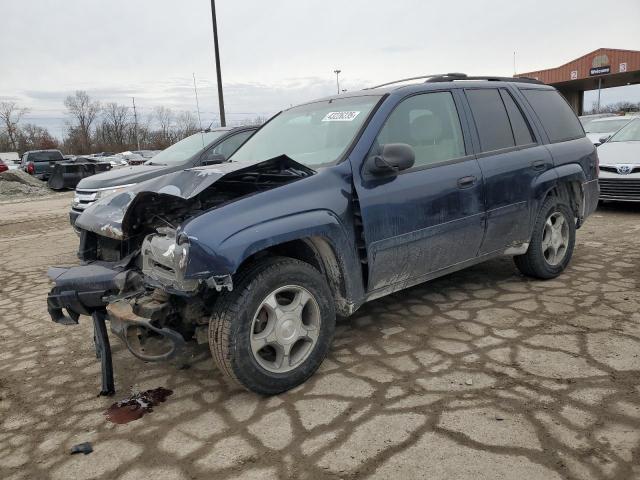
208, 147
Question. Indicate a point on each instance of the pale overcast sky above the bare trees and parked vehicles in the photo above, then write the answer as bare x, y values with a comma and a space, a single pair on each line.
281, 52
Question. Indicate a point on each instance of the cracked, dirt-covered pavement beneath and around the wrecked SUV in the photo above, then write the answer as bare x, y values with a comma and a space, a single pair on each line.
481, 374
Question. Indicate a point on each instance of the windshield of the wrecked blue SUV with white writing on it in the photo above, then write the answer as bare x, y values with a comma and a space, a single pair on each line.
315, 134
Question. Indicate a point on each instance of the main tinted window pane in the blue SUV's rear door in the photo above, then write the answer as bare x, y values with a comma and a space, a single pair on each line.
491, 119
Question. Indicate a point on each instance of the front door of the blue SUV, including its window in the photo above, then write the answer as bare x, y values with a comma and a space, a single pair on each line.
430, 216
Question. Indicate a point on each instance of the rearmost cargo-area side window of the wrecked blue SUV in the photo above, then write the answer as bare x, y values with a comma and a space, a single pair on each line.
559, 121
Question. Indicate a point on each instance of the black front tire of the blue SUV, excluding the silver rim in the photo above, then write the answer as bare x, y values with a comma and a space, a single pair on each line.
233, 312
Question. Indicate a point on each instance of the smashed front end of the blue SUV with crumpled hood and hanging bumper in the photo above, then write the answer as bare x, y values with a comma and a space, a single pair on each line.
135, 254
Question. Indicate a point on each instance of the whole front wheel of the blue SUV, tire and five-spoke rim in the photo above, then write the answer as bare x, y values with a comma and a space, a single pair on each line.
275, 328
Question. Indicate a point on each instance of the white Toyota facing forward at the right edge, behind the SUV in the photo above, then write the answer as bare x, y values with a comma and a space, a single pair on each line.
620, 164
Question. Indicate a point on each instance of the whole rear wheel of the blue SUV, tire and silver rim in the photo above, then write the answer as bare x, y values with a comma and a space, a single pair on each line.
552, 241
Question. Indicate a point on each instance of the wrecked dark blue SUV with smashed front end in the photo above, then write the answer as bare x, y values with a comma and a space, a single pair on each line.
329, 205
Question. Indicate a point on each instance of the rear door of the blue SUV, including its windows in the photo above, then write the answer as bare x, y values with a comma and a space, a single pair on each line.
511, 158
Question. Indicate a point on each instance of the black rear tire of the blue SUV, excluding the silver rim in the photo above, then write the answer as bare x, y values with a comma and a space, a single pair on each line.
534, 263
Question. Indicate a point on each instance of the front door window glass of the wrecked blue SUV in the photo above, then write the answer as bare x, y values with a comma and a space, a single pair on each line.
429, 123
